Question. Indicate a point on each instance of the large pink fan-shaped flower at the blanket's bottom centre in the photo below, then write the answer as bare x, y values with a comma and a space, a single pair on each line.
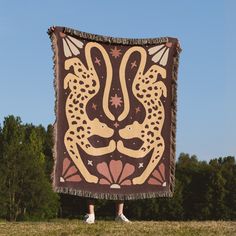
115, 174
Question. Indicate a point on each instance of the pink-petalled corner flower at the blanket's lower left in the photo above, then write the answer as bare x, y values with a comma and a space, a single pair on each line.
69, 173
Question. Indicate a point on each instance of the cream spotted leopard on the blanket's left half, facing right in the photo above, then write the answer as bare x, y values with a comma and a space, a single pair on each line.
84, 84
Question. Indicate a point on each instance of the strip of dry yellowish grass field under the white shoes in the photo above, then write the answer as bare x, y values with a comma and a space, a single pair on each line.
159, 228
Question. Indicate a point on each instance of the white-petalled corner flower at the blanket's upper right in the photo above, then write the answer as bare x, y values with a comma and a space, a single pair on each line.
160, 53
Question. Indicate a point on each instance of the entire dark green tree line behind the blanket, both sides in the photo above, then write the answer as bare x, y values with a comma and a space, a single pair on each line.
203, 190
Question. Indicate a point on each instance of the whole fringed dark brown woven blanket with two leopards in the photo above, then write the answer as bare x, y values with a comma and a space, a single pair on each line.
114, 133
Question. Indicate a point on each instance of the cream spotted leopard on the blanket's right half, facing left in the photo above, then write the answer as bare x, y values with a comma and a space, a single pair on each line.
148, 91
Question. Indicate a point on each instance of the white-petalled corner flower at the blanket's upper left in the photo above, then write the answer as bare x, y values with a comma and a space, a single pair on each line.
71, 45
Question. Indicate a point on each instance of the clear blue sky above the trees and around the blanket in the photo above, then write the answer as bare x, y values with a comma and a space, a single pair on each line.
206, 84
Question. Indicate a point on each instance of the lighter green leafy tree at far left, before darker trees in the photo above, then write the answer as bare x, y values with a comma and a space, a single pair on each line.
24, 185
